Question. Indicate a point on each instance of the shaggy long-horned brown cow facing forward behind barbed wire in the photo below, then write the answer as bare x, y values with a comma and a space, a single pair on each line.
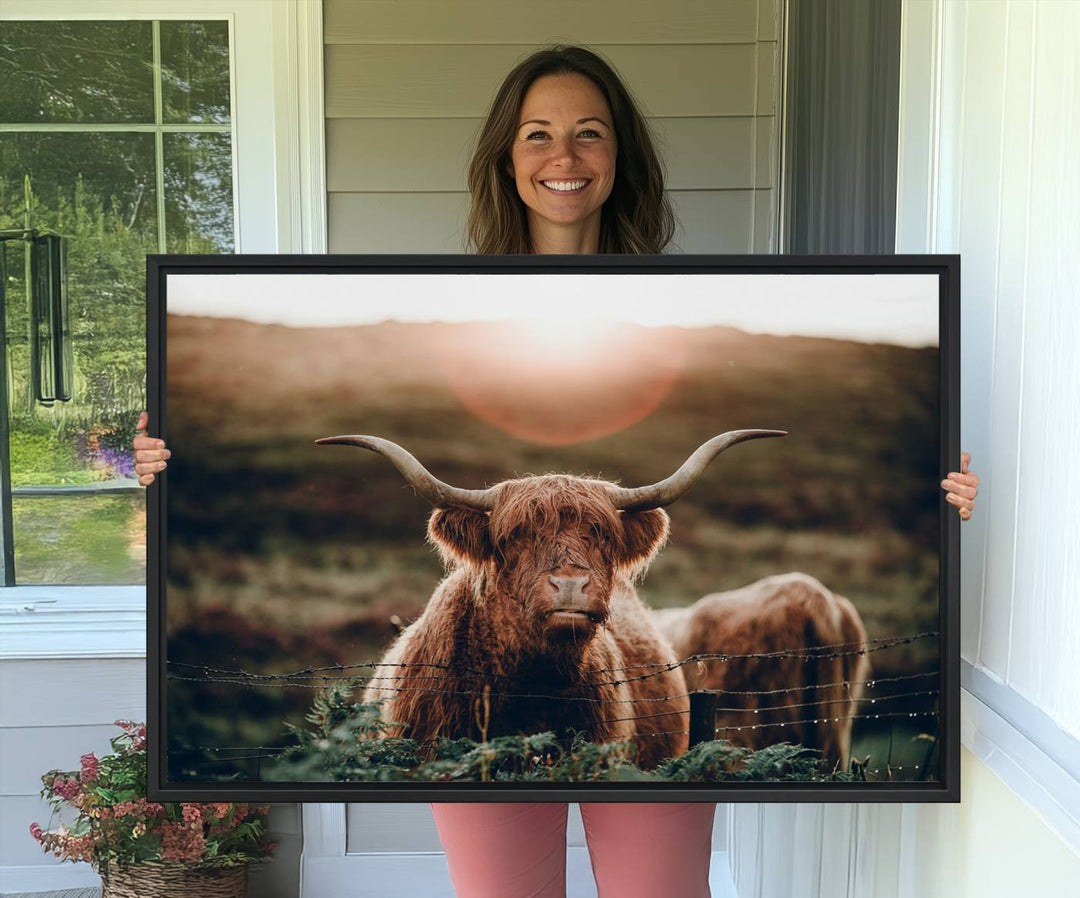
539, 606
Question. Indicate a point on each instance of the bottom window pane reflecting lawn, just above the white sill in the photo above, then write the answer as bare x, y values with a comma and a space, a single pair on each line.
80, 541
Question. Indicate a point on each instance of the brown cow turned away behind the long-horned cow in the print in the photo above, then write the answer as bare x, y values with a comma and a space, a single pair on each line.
784, 613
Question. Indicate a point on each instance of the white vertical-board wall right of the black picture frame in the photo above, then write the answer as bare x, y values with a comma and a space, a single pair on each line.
1008, 200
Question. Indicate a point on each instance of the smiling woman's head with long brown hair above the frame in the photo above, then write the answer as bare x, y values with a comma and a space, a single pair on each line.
565, 164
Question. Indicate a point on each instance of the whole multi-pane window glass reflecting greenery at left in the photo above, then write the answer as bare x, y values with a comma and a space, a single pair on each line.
118, 137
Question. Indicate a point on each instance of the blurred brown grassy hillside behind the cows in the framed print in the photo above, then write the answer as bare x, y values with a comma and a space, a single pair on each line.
283, 555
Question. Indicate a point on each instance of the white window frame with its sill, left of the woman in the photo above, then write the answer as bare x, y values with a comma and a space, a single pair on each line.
276, 51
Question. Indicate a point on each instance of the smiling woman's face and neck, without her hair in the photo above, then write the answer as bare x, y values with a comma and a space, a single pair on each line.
563, 155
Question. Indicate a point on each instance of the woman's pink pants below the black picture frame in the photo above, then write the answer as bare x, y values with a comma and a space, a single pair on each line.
519, 851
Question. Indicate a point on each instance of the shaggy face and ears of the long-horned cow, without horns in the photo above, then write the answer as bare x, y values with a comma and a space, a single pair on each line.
553, 547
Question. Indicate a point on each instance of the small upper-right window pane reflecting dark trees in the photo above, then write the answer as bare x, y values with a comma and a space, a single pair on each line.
195, 72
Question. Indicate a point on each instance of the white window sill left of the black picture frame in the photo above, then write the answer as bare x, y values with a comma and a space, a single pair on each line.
73, 622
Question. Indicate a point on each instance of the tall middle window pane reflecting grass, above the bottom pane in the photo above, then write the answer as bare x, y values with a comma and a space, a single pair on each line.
99, 192
